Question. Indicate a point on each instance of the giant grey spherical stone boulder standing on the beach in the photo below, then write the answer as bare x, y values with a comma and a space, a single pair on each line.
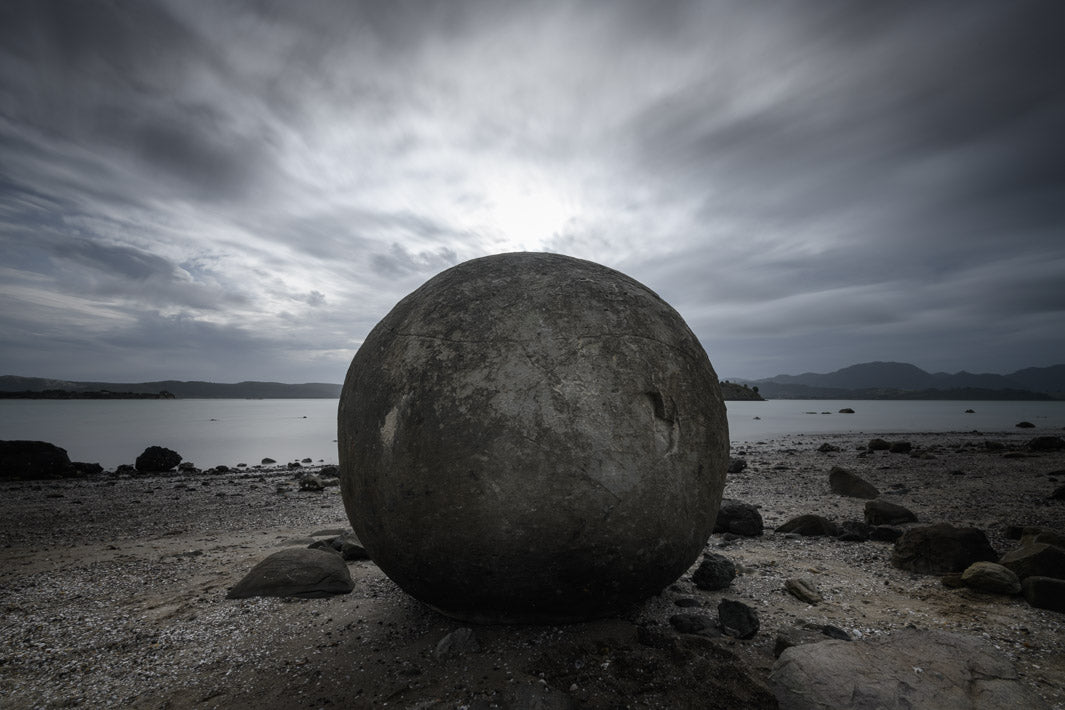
532, 438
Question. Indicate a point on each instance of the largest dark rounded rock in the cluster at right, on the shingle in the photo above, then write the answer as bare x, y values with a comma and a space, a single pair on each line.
942, 549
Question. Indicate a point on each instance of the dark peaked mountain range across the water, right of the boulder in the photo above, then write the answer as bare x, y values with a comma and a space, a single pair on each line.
896, 381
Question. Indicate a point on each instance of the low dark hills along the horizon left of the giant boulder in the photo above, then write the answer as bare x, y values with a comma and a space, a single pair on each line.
194, 390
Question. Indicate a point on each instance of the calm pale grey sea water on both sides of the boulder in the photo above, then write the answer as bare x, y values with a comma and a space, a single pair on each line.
230, 432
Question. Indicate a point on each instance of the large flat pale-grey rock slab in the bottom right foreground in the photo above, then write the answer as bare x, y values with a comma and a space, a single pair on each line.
908, 669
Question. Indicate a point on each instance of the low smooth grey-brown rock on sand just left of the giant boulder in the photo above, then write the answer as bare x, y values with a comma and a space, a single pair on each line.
296, 572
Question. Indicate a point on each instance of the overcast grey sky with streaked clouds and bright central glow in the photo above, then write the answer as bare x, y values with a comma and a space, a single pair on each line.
233, 191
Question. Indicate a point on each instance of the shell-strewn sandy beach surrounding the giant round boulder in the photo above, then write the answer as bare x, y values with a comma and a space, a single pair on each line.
113, 593
